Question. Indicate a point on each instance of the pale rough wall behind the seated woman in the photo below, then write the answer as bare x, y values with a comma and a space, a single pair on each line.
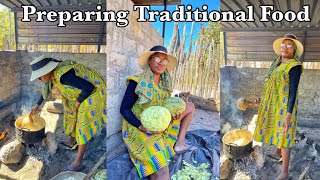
124, 45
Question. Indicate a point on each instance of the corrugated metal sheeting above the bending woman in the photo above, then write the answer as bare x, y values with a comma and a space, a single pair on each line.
75, 33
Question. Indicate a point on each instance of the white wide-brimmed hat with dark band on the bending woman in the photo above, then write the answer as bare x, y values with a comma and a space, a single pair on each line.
41, 66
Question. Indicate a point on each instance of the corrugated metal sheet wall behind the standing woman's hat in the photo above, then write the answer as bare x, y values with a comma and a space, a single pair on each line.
257, 46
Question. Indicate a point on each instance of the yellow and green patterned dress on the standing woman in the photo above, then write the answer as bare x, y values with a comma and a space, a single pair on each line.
274, 105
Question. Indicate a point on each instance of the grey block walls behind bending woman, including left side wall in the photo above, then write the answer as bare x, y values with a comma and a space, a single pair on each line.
16, 74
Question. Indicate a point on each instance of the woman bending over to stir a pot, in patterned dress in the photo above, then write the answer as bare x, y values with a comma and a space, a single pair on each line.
83, 97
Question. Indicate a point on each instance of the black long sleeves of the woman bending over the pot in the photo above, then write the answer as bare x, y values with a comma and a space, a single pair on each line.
70, 78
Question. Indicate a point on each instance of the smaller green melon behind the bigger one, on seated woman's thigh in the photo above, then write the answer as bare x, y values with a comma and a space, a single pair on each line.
175, 105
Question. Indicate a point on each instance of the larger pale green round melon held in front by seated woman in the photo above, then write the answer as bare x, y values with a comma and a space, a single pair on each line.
156, 118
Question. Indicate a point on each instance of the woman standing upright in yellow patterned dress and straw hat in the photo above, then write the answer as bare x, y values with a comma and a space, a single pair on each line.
277, 116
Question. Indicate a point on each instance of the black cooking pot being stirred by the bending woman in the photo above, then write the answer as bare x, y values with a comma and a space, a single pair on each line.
32, 133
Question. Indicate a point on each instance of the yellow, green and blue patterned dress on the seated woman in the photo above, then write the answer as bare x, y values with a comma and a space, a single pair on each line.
149, 152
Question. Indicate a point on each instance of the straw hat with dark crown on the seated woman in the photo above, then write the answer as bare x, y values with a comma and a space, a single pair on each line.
144, 58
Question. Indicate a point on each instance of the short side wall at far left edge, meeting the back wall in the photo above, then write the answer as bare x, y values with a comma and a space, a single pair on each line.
9, 82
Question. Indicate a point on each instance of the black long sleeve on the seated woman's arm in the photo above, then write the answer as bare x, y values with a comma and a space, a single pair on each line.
130, 97
